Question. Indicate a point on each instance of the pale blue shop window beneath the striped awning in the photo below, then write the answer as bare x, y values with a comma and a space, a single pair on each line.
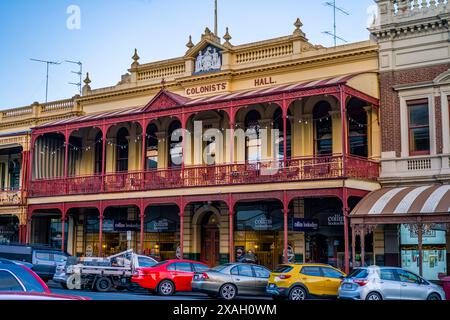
434, 251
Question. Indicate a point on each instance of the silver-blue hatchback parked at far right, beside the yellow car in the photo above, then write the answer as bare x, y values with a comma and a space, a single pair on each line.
388, 283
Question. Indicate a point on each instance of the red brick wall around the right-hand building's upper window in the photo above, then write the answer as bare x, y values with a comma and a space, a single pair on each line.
390, 102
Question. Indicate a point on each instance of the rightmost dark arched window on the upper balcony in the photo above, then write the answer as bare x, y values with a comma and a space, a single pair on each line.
357, 128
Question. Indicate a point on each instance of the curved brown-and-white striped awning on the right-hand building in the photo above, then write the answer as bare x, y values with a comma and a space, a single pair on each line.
429, 199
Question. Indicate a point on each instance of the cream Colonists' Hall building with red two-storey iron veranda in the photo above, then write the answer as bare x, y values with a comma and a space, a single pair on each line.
112, 170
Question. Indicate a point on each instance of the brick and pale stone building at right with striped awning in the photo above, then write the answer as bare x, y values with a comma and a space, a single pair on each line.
413, 205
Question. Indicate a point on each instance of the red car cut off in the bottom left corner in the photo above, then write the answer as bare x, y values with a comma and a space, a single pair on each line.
18, 282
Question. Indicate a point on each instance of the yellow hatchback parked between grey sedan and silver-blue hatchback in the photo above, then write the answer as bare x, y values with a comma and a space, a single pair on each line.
302, 281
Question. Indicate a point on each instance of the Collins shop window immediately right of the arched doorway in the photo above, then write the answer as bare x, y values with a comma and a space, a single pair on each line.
259, 233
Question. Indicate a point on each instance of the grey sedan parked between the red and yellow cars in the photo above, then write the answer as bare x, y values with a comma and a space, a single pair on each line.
232, 279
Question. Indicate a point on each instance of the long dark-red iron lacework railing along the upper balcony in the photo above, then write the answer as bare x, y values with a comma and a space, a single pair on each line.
296, 170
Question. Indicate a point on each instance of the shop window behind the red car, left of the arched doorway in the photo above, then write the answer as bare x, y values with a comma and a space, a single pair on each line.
161, 227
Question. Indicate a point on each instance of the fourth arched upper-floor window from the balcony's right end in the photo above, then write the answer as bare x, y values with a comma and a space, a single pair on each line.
253, 137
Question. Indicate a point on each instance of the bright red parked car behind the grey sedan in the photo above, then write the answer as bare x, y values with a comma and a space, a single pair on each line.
168, 277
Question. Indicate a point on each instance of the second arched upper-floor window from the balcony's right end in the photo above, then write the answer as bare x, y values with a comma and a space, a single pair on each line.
323, 129
